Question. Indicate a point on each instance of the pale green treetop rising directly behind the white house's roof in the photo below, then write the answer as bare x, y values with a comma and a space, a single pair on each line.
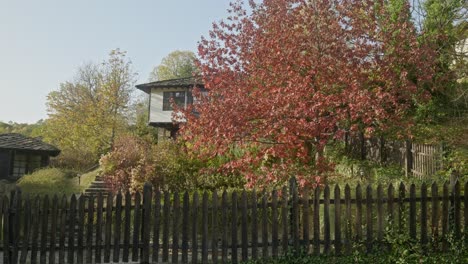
177, 64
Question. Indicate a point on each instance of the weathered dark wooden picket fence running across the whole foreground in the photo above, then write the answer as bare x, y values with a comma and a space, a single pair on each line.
229, 227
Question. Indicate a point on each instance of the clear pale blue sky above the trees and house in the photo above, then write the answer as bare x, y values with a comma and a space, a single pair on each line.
42, 43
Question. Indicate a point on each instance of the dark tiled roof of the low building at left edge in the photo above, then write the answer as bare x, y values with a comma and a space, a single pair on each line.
14, 141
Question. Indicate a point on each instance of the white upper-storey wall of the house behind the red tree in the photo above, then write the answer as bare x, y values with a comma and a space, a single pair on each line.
157, 115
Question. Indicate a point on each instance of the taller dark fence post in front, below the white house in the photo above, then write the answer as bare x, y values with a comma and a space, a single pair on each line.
146, 223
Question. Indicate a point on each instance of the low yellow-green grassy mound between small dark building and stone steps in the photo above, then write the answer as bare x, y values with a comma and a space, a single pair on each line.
52, 181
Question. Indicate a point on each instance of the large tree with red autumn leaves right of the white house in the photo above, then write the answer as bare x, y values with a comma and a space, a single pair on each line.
287, 76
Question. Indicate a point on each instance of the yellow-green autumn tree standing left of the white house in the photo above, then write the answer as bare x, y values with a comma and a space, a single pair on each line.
85, 114
